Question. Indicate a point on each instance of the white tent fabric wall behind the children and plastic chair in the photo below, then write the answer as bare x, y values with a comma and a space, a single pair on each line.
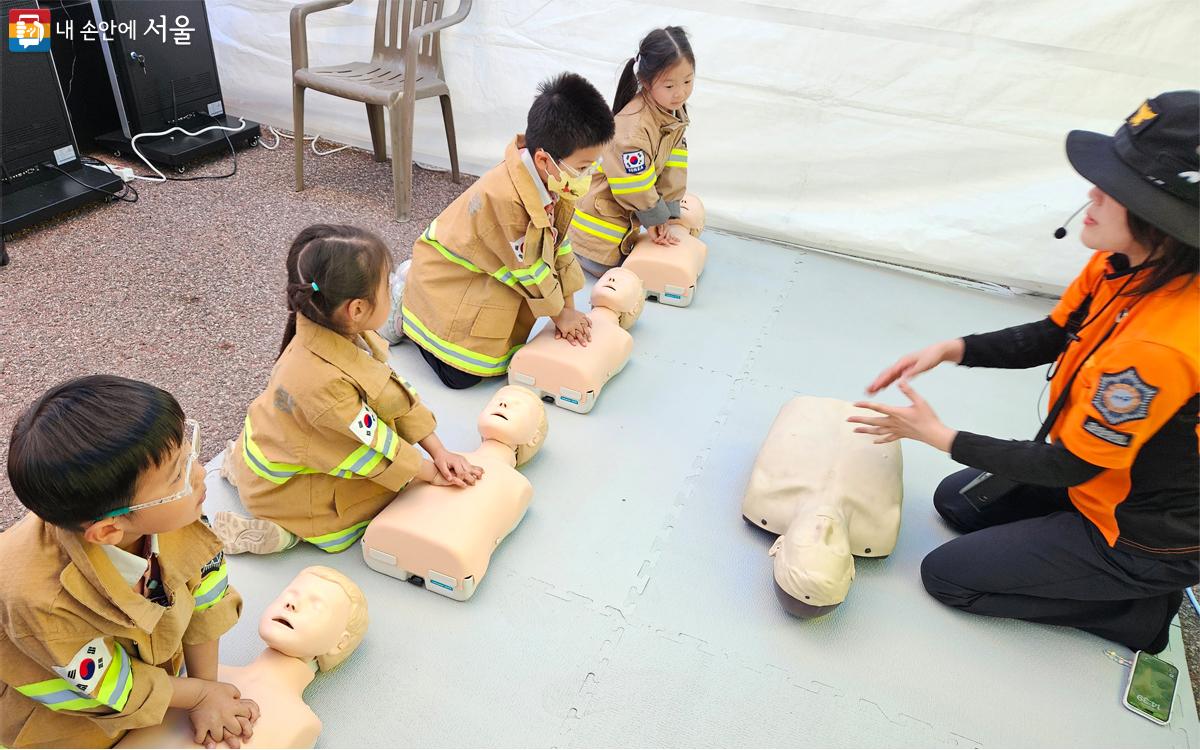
922, 134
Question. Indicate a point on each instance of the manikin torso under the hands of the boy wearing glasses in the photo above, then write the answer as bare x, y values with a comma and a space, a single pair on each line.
275, 682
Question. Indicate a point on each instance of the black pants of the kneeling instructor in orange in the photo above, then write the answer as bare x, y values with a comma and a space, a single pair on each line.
1033, 556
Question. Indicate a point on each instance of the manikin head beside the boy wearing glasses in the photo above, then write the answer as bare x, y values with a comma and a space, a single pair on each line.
322, 615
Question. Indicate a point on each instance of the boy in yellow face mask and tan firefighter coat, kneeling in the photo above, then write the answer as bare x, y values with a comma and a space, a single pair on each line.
497, 259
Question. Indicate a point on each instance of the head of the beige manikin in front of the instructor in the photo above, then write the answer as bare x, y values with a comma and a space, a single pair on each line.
813, 563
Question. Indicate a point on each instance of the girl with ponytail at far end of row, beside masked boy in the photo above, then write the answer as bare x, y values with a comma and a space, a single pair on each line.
645, 169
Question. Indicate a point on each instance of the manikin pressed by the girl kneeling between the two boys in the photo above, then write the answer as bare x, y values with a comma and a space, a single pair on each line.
443, 538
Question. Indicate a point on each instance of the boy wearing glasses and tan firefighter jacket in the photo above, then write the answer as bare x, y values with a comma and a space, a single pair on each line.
116, 584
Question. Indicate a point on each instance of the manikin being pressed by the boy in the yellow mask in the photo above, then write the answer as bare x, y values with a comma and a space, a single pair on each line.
573, 376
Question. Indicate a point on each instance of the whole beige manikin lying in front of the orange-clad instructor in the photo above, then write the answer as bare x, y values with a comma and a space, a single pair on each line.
831, 494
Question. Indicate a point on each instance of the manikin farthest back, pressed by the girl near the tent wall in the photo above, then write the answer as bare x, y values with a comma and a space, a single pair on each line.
670, 272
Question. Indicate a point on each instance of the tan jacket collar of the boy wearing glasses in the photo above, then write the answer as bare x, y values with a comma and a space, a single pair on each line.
95, 583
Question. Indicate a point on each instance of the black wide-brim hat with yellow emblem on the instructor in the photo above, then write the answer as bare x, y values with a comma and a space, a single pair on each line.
1151, 165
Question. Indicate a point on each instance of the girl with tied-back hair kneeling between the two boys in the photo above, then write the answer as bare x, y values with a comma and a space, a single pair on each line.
334, 437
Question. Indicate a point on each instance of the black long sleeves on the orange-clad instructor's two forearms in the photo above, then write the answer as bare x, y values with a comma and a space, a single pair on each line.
1048, 465
